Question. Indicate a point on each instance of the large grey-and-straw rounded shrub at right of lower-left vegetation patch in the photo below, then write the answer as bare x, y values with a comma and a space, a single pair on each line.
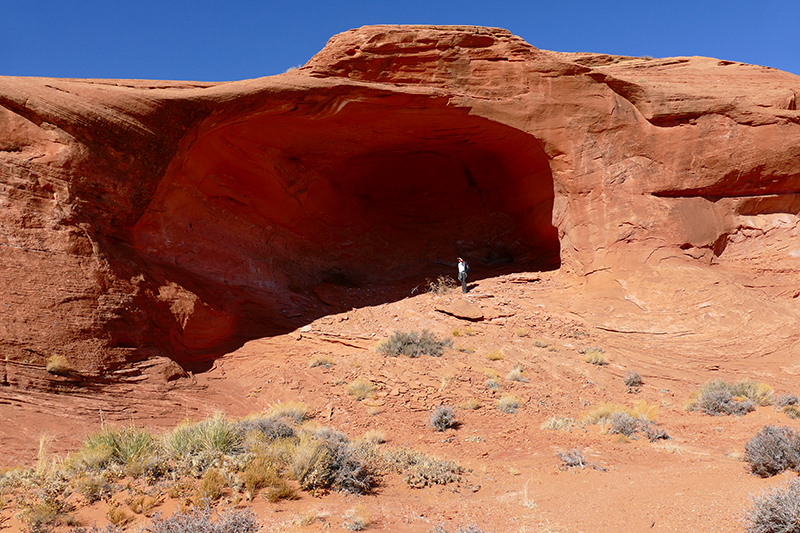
327, 460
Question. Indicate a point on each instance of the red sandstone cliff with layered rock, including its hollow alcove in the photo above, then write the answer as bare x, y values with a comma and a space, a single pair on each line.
145, 219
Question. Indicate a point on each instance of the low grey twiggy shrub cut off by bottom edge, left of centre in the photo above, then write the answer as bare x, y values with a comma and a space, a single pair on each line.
201, 521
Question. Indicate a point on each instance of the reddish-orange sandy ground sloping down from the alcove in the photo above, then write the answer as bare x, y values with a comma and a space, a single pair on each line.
696, 481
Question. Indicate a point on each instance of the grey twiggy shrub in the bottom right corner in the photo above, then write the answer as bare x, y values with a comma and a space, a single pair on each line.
776, 510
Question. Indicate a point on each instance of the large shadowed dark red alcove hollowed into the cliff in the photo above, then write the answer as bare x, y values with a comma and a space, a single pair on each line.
265, 212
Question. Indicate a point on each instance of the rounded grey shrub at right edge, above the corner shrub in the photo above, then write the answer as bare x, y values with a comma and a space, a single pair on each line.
773, 450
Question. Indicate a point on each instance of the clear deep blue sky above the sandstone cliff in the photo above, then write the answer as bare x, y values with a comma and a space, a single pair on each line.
238, 39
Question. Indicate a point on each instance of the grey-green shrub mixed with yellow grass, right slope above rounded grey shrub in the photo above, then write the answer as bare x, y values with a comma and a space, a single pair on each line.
721, 398
